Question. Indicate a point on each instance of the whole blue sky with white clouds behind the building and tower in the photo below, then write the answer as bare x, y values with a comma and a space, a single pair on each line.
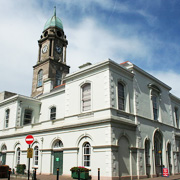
144, 32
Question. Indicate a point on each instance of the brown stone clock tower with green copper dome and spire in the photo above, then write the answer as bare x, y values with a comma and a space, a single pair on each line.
51, 65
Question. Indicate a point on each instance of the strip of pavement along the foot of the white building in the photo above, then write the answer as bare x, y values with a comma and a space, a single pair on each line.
63, 177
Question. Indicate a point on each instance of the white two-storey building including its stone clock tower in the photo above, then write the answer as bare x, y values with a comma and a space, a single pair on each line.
111, 116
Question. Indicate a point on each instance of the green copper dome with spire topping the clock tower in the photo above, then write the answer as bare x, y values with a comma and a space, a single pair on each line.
53, 22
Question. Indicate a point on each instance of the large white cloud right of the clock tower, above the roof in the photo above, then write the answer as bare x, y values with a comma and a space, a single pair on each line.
91, 42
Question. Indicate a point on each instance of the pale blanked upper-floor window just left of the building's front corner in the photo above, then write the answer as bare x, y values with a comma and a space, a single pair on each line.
86, 97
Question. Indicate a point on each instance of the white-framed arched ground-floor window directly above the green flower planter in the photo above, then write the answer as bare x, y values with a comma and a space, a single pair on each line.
86, 154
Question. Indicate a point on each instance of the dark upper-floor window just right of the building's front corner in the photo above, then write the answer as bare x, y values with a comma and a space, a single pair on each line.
121, 97
